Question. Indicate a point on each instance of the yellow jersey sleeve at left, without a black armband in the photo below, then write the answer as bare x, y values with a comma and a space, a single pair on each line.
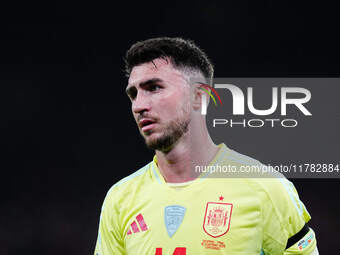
109, 240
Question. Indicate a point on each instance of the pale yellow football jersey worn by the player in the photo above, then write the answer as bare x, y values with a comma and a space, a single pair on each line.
142, 214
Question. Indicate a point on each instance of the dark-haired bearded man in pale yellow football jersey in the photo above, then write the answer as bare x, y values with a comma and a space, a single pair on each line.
169, 208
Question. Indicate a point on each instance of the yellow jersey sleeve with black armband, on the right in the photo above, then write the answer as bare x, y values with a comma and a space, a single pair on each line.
284, 215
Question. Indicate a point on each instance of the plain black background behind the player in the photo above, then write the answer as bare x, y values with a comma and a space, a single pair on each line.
67, 134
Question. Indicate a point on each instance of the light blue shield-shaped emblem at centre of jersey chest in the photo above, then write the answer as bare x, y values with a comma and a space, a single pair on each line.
173, 217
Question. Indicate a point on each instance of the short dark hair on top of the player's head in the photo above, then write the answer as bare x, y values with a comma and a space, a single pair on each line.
181, 52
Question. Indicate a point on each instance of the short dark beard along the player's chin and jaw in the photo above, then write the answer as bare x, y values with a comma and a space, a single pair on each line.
174, 131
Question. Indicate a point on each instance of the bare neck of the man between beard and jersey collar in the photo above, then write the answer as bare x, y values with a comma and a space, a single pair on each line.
192, 149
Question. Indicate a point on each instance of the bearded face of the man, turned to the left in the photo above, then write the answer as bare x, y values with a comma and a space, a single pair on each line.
160, 98
